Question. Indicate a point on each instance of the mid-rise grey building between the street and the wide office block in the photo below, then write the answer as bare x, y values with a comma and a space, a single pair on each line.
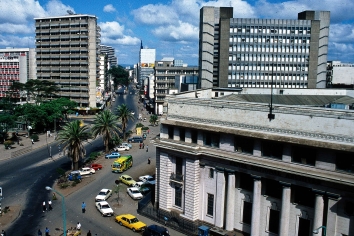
167, 73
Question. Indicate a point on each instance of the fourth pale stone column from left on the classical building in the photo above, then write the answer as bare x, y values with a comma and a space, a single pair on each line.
285, 210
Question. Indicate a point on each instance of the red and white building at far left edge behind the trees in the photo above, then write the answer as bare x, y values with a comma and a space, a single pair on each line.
16, 64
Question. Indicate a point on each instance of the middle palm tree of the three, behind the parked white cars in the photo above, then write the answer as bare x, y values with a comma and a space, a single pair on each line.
105, 124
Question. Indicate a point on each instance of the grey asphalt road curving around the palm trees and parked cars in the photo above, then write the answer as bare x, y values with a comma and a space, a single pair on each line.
24, 179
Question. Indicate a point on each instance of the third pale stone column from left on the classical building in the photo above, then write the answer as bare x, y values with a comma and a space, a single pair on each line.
256, 206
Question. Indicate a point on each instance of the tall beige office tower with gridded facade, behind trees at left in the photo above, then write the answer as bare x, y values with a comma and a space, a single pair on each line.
67, 50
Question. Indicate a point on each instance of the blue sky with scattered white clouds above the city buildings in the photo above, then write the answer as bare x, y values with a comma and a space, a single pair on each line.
169, 26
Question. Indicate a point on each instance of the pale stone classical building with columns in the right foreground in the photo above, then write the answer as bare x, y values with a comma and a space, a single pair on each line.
227, 164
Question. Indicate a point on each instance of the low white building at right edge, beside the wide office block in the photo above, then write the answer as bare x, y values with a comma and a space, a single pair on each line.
340, 75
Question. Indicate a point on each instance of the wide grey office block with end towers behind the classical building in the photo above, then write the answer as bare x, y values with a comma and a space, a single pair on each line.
242, 52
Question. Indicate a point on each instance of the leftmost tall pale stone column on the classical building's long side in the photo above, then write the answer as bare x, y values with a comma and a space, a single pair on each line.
220, 197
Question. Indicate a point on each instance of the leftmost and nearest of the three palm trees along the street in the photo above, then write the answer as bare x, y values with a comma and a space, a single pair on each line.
72, 137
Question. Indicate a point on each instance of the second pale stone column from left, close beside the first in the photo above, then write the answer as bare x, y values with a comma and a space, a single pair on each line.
230, 202
